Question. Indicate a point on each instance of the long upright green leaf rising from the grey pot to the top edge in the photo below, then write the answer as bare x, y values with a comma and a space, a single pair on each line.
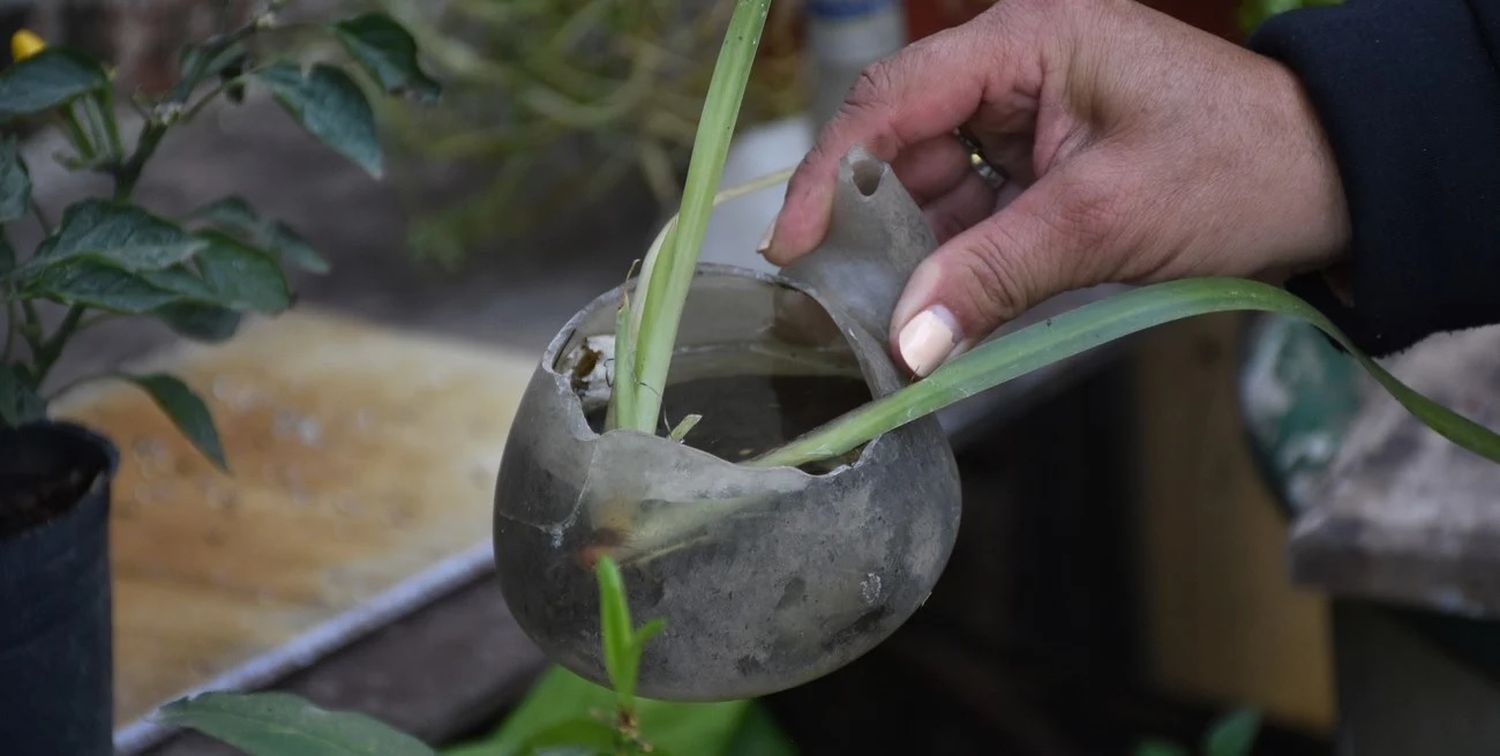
673, 274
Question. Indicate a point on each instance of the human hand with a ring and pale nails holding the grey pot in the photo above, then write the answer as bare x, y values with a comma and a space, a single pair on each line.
1136, 149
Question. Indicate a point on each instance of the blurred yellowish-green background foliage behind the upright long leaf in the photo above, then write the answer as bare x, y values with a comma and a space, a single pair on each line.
554, 104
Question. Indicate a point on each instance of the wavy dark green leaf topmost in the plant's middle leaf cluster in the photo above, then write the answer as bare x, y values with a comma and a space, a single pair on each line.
124, 235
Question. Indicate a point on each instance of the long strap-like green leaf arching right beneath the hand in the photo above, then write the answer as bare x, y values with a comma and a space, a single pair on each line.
1091, 326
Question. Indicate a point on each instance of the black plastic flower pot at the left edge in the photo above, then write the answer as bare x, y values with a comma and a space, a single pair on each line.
55, 592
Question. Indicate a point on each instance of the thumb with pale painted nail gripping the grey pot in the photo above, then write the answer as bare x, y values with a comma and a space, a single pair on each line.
1046, 242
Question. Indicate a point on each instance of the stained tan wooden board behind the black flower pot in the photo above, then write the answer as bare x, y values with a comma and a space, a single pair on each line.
361, 457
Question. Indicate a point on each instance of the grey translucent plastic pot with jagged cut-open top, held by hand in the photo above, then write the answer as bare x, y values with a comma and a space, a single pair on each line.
767, 578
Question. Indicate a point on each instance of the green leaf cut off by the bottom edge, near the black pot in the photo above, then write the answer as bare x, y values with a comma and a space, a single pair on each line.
286, 725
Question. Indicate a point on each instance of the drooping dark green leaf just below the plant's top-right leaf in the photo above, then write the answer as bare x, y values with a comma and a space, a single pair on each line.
328, 104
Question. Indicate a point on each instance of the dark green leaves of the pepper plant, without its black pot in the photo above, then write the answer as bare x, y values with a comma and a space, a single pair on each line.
202, 275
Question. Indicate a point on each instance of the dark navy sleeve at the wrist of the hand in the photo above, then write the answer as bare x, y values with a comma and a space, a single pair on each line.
1409, 94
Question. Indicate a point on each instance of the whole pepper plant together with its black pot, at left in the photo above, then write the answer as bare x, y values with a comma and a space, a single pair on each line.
106, 257
